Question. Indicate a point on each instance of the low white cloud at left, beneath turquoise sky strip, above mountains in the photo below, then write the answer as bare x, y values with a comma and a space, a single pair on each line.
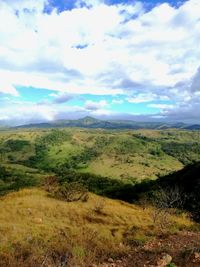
18, 113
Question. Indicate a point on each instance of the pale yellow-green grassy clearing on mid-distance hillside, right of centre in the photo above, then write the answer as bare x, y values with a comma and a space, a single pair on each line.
136, 166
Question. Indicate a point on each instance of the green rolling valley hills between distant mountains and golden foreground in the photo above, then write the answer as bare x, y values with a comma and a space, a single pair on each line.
105, 160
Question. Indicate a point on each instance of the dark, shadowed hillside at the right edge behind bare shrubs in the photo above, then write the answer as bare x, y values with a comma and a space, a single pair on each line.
181, 187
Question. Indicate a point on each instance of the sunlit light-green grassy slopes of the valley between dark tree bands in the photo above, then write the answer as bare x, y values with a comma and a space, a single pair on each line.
121, 153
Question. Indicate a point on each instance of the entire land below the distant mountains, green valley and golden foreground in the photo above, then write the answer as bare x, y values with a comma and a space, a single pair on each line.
66, 192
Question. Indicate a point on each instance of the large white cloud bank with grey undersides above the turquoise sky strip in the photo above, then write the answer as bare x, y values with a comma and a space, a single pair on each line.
102, 49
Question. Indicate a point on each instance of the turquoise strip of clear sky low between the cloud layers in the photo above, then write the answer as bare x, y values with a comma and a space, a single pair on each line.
116, 104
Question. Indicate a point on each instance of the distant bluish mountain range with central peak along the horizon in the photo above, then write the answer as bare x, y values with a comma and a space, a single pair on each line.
90, 122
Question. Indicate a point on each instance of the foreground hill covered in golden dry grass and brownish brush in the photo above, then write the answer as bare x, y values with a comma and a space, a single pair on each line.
38, 230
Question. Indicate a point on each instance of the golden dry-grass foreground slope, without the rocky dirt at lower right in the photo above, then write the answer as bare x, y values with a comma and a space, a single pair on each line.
33, 225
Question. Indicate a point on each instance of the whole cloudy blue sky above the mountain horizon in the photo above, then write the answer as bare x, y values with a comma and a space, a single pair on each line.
111, 59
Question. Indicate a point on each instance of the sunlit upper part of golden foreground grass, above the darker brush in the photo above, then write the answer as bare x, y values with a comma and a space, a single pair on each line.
31, 213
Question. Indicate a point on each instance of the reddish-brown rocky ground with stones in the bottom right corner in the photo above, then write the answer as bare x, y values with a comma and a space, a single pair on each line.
180, 250
